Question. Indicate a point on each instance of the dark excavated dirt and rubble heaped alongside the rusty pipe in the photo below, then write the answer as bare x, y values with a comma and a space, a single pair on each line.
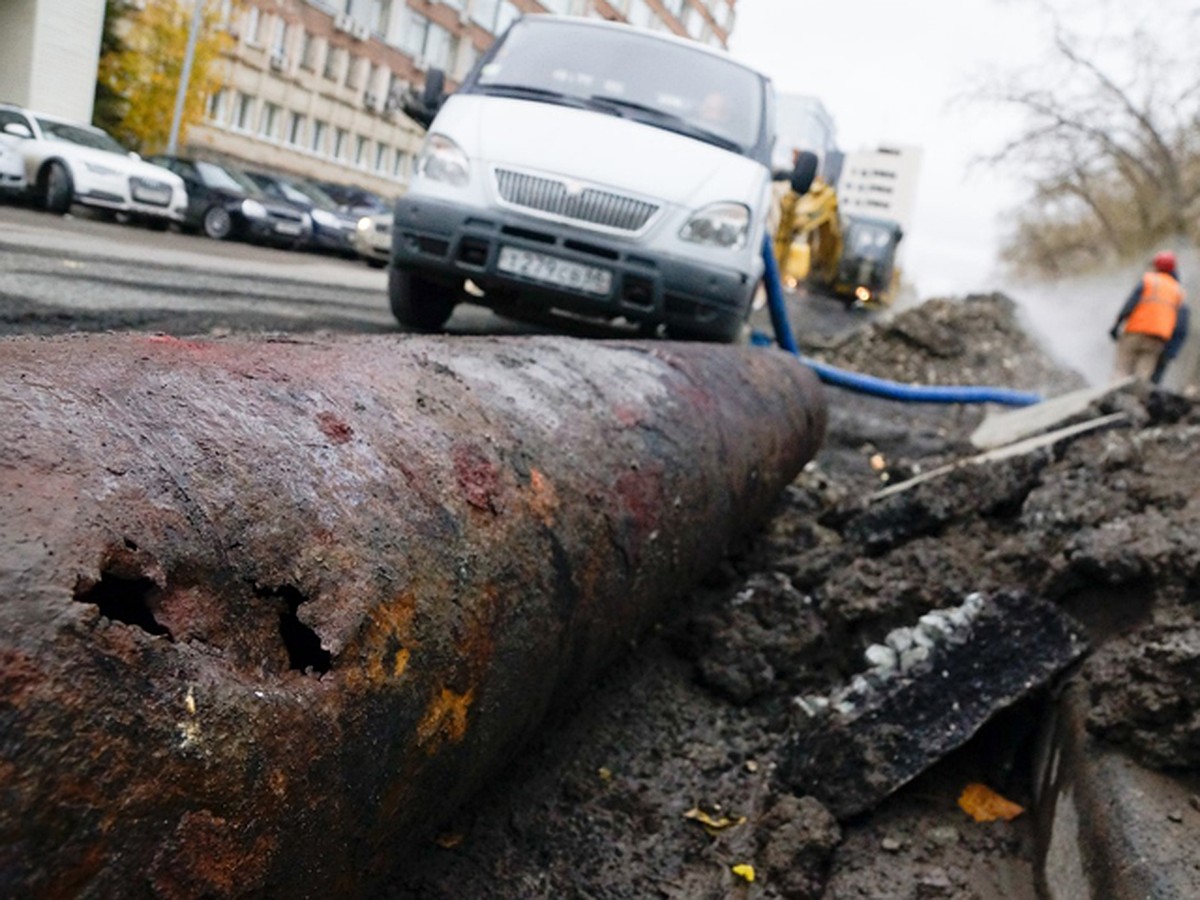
664, 781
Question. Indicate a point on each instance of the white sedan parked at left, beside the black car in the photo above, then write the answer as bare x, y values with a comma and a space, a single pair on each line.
70, 163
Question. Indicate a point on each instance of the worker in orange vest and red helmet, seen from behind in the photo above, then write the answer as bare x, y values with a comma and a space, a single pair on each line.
1154, 323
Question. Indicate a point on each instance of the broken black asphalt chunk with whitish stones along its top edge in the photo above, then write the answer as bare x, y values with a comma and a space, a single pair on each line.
893, 722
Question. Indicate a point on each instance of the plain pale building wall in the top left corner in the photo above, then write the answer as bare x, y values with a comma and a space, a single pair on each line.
49, 55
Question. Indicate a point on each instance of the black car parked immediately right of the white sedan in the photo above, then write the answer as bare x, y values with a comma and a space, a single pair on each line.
225, 203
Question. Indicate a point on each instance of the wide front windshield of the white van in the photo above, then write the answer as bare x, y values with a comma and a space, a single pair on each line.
627, 74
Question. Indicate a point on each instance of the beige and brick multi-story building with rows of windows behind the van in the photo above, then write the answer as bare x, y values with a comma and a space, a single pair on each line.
315, 87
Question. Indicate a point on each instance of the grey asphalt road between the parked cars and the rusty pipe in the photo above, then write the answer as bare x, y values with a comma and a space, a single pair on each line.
77, 273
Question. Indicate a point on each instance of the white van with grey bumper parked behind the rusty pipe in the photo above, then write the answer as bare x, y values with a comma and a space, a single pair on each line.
592, 169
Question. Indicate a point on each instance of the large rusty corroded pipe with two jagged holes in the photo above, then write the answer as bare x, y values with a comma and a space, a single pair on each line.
269, 610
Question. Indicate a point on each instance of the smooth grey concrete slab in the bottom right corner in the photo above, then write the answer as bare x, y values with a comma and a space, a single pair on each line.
1108, 829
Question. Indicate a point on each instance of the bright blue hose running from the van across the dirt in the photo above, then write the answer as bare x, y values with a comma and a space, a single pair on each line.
869, 385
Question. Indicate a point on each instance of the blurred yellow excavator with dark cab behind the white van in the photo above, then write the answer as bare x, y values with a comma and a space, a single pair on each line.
848, 257
